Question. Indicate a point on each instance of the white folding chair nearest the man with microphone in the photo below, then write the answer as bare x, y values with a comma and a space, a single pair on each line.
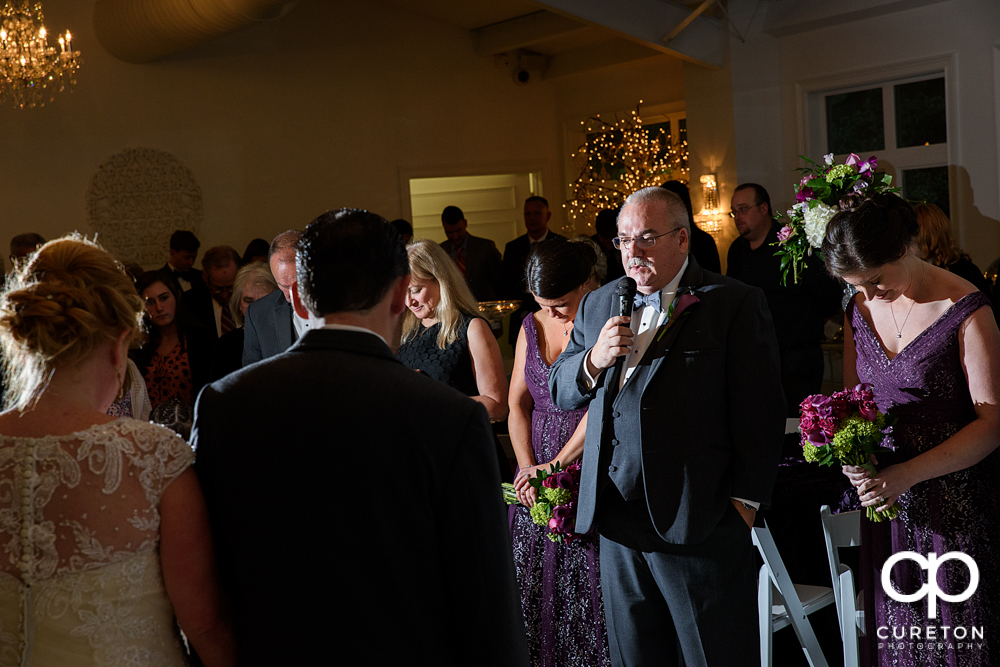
781, 603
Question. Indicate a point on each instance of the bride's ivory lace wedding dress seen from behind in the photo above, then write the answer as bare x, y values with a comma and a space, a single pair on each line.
80, 578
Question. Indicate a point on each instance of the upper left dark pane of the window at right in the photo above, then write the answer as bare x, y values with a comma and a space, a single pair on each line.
854, 122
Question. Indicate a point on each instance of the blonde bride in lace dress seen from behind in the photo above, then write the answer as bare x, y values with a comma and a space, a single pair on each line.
104, 537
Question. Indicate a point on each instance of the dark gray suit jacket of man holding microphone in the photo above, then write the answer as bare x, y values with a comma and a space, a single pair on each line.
709, 414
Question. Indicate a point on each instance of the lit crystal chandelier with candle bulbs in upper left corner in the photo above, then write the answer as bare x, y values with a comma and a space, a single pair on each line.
32, 72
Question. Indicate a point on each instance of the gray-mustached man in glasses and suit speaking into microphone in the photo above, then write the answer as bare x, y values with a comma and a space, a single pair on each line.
683, 441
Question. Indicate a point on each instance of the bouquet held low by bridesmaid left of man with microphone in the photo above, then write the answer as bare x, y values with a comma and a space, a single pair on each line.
555, 508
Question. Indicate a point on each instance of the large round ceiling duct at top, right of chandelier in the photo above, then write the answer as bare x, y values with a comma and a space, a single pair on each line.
141, 31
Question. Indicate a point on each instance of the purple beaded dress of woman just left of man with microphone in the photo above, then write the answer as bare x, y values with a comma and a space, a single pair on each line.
560, 583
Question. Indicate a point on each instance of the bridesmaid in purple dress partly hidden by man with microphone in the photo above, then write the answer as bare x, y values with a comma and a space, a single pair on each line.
560, 583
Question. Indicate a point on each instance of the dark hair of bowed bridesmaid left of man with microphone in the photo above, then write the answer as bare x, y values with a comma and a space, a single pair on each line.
556, 267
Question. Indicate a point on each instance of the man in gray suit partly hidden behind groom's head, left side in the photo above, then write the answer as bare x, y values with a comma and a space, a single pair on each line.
270, 326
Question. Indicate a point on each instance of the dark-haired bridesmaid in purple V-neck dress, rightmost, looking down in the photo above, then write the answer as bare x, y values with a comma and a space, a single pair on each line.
927, 341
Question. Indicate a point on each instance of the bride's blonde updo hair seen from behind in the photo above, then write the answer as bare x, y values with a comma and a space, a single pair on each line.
69, 298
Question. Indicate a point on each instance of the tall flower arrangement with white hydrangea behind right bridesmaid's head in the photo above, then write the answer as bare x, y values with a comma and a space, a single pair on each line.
817, 197
